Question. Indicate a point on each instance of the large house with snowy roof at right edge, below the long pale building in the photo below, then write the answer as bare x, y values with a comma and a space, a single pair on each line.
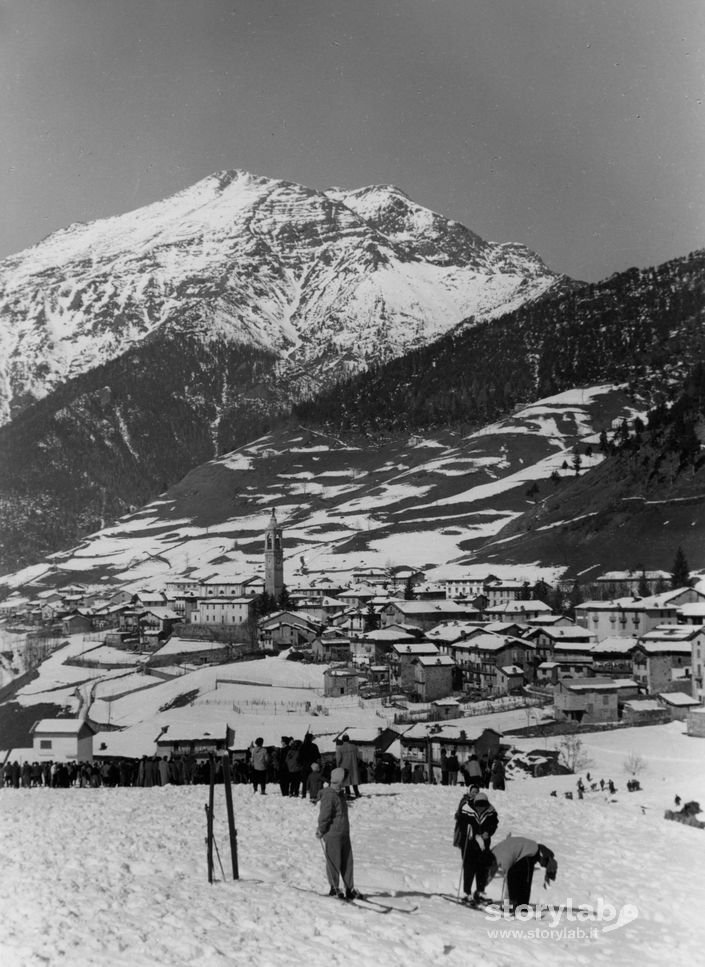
662, 659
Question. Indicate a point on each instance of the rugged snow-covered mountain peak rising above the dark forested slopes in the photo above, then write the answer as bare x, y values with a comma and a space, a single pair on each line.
328, 281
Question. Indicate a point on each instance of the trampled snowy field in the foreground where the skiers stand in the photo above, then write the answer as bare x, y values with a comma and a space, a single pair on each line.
114, 877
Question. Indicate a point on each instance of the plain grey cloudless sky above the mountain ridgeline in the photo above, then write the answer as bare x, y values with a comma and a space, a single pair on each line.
574, 126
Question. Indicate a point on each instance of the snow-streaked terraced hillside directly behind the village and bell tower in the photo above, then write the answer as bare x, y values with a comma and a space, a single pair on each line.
424, 501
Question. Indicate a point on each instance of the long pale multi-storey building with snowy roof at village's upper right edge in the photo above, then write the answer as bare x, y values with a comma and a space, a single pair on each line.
633, 616
